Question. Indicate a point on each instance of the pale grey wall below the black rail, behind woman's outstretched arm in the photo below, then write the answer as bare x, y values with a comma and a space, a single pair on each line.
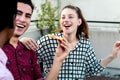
103, 44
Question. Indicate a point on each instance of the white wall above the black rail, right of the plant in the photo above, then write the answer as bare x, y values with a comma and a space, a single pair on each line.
108, 10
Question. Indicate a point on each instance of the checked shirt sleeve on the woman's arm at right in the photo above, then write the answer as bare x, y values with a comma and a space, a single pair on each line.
93, 65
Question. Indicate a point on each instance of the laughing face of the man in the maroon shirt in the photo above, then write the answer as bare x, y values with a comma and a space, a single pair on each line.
23, 18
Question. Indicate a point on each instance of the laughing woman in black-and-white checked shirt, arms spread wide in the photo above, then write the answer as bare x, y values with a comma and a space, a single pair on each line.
81, 61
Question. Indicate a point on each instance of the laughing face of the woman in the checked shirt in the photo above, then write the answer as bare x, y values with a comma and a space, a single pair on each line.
69, 21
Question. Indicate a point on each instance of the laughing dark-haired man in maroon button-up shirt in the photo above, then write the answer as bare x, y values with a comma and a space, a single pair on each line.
23, 62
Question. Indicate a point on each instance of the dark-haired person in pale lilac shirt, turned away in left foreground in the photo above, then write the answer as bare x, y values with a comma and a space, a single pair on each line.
7, 14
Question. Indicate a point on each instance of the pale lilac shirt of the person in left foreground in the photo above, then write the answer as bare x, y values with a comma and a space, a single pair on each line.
5, 74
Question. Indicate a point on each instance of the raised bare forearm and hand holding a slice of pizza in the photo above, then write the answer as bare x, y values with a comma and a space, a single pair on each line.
62, 52
